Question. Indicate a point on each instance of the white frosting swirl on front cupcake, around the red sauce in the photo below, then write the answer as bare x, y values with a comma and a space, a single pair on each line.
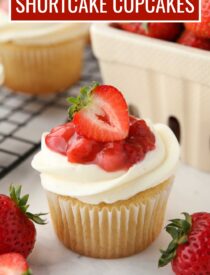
91, 184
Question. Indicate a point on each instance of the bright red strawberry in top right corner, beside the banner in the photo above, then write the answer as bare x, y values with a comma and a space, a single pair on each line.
201, 29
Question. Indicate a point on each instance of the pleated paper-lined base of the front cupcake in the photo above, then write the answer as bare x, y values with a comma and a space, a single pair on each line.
110, 230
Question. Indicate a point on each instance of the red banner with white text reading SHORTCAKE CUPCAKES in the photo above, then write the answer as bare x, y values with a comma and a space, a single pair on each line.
105, 10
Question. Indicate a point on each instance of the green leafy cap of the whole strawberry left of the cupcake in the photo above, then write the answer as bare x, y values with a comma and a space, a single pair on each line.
15, 195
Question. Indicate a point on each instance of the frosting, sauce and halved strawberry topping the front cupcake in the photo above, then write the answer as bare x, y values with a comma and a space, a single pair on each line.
103, 154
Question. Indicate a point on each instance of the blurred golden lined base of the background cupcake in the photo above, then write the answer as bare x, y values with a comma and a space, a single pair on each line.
42, 69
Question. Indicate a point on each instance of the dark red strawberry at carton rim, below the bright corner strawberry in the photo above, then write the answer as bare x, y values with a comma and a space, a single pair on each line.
189, 39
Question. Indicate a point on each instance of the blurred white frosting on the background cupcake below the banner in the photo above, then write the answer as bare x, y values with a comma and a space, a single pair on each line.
39, 33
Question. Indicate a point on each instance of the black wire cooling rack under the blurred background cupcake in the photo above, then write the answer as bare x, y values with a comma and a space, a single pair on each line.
20, 114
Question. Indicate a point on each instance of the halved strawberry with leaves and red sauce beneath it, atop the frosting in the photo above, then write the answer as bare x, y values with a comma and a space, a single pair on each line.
101, 131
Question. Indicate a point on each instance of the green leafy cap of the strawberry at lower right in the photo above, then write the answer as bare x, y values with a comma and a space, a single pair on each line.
179, 230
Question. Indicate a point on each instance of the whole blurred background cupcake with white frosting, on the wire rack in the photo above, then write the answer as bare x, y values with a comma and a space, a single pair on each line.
40, 58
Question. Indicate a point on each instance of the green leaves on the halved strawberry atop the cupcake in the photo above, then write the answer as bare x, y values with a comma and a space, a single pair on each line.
82, 100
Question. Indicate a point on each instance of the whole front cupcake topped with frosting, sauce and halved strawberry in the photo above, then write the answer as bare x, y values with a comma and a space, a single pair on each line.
107, 175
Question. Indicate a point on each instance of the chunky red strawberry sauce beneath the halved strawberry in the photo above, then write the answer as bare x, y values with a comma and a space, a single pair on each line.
110, 156
